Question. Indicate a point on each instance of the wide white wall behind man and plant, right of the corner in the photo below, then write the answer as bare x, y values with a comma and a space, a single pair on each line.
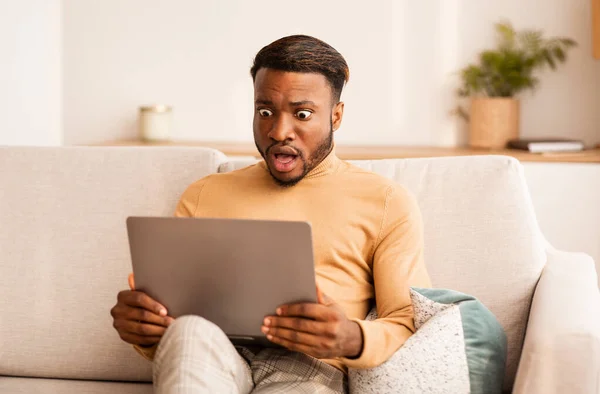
403, 56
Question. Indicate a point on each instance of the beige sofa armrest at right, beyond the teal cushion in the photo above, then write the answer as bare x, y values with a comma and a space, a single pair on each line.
561, 353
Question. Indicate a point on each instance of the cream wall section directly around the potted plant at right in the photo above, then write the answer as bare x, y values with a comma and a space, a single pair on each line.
568, 101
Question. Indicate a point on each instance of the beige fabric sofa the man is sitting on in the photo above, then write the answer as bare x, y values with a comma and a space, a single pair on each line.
64, 256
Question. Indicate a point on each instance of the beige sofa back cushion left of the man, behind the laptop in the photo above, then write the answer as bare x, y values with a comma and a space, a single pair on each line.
64, 251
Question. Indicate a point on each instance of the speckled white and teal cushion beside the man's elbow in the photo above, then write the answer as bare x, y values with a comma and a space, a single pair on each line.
459, 347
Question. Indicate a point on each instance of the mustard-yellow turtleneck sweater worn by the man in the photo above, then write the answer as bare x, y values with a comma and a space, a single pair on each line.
367, 239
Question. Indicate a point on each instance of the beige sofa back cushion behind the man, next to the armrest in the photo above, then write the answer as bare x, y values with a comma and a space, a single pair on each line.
481, 234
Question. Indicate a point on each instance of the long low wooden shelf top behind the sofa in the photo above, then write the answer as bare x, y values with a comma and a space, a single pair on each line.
348, 152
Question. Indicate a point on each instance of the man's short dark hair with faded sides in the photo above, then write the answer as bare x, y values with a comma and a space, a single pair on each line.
305, 54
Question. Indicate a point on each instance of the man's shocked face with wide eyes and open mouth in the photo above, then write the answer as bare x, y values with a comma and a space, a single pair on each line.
294, 121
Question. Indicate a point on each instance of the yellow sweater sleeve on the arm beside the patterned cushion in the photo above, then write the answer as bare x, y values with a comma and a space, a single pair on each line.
397, 265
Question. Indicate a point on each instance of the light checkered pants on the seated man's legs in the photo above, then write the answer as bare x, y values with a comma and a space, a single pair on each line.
195, 356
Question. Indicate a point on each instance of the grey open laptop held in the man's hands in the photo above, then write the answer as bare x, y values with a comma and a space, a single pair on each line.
232, 272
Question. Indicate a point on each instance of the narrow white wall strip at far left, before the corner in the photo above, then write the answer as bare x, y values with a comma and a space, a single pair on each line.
30, 72
